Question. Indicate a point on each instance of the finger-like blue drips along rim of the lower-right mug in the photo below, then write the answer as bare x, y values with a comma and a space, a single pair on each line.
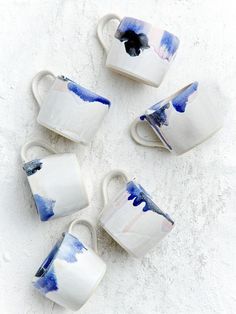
139, 195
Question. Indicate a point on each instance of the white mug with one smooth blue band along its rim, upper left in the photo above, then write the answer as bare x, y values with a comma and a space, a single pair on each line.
70, 109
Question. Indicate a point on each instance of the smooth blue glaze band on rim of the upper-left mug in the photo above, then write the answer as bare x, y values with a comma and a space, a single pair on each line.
85, 94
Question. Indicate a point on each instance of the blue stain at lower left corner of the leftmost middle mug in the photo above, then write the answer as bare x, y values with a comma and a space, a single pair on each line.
44, 206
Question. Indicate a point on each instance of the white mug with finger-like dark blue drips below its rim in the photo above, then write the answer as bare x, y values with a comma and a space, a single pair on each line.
132, 218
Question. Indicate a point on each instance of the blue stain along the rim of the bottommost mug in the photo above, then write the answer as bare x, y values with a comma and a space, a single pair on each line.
65, 249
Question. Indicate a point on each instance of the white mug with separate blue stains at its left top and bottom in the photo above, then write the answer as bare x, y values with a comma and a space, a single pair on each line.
55, 181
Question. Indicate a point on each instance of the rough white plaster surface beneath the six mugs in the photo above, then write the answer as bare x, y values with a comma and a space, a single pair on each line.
193, 269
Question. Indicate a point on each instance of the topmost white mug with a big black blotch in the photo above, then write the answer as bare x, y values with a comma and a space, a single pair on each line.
139, 50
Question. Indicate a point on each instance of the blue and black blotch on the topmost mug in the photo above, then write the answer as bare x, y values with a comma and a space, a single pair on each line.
131, 32
